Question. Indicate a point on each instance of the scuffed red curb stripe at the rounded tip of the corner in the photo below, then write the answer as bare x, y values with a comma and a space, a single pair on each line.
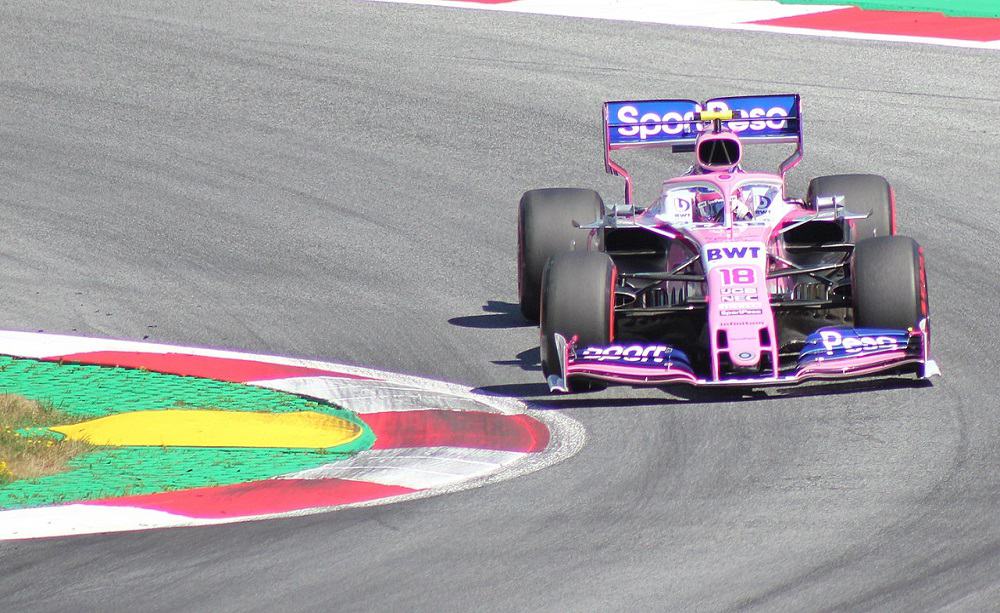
468, 429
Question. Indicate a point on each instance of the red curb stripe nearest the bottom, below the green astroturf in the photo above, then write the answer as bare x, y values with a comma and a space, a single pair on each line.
258, 498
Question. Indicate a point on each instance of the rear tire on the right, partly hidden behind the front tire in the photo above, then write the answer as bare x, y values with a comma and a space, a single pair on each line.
862, 193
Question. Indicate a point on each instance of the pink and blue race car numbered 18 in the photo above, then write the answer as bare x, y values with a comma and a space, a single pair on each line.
724, 279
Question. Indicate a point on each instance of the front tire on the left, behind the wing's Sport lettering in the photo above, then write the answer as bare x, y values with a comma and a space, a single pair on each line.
577, 300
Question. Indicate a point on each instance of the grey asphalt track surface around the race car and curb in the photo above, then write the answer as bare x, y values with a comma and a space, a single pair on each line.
339, 179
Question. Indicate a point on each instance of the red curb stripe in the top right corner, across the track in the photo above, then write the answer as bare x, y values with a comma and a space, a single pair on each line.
900, 23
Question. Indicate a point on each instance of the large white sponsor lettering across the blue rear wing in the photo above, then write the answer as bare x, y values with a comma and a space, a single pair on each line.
670, 124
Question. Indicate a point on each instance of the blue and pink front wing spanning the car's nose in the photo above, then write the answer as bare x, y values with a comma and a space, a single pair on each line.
829, 353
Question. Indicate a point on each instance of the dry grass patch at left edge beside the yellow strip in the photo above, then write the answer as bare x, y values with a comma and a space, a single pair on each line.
24, 457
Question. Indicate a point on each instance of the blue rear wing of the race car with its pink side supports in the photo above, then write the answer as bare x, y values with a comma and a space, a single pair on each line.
640, 124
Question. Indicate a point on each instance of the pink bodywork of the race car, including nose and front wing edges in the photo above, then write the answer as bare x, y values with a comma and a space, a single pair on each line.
741, 327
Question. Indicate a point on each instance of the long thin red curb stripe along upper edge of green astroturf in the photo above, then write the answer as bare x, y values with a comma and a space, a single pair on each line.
221, 369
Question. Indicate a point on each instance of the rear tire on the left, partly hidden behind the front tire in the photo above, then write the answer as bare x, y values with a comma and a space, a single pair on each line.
544, 229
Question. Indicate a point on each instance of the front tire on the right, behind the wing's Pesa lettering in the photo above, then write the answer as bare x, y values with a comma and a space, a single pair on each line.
889, 283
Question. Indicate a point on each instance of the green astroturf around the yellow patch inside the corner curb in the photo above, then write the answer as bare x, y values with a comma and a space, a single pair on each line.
87, 392
